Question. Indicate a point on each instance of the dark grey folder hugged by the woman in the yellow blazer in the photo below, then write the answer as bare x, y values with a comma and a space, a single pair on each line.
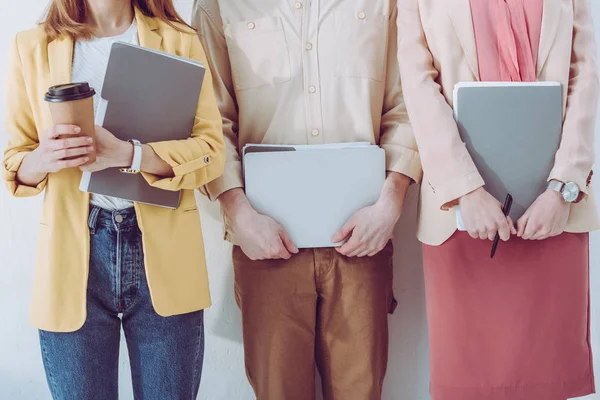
150, 96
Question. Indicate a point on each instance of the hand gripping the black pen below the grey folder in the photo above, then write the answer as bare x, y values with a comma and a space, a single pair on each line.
483, 216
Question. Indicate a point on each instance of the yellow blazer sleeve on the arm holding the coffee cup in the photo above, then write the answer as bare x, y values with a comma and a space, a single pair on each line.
20, 127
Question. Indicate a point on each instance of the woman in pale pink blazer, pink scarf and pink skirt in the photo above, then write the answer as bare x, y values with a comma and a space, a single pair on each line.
515, 327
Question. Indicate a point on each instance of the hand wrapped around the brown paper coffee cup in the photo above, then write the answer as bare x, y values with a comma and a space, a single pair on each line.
60, 148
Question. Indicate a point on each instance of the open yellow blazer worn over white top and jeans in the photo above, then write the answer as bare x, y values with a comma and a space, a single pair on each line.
172, 239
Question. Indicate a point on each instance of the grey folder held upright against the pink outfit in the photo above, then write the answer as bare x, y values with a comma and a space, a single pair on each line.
512, 131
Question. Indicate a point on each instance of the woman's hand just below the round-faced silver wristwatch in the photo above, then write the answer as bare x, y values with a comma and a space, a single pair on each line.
545, 218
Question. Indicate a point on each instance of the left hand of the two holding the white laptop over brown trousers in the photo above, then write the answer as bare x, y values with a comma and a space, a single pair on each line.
259, 236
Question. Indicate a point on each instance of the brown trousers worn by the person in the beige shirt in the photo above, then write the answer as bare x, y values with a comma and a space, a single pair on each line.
318, 307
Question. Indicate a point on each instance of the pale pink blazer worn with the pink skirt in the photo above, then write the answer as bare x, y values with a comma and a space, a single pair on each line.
437, 50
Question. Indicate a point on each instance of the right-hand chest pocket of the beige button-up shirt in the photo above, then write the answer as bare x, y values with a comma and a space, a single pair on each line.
363, 39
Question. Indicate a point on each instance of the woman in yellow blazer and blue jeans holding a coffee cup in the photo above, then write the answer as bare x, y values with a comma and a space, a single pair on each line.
103, 262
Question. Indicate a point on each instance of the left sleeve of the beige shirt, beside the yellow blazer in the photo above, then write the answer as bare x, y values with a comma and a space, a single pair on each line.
207, 20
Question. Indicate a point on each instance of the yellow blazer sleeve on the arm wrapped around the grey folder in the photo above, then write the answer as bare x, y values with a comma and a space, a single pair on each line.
201, 158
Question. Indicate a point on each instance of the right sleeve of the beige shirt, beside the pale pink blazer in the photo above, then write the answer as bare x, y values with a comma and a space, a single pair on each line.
397, 137
